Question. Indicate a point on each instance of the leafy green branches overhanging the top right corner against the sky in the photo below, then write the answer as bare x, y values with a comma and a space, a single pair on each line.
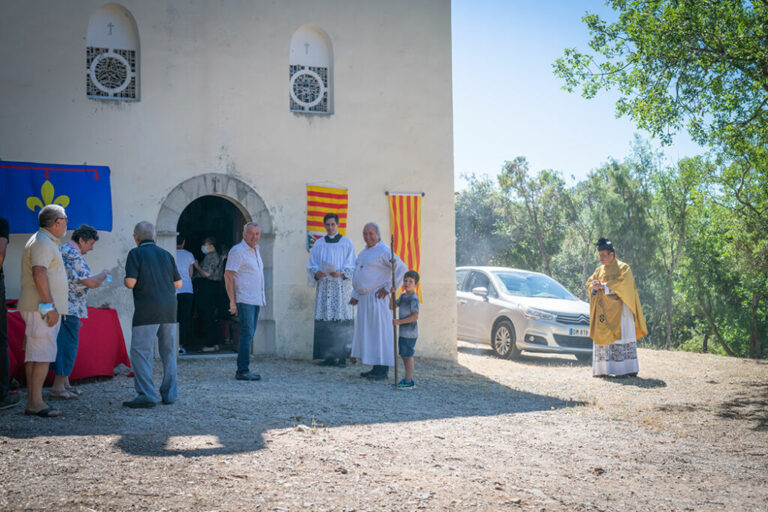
701, 65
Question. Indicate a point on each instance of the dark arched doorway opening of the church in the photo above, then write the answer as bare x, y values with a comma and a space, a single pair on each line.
212, 327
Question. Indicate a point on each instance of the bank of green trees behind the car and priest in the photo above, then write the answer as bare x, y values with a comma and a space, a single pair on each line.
694, 233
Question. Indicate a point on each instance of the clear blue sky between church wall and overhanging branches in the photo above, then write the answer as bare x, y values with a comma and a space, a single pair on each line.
508, 103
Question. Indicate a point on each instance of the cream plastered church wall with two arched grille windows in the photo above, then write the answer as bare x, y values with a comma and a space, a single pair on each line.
213, 114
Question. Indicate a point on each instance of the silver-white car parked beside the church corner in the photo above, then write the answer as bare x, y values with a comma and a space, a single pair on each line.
518, 310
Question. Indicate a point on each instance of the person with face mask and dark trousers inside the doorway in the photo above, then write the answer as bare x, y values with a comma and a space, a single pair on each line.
212, 274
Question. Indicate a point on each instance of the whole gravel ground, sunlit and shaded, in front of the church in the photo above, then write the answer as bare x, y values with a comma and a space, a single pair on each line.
539, 433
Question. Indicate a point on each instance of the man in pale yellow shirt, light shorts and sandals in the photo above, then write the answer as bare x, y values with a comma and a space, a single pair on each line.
42, 301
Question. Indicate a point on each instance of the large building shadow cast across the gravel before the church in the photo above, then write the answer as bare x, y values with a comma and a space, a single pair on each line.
216, 414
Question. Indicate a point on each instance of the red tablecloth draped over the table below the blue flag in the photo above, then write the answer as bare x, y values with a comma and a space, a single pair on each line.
100, 349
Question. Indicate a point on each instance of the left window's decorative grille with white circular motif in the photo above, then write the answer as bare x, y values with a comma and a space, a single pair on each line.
110, 73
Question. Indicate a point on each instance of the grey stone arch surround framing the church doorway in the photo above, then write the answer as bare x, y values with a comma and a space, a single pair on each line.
254, 209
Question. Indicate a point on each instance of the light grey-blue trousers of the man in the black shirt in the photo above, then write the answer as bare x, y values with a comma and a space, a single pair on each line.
142, 359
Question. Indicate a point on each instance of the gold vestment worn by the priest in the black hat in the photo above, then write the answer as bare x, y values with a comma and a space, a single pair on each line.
605, 310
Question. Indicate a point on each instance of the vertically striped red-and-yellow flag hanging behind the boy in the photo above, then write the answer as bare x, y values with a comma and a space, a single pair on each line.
405, 220
